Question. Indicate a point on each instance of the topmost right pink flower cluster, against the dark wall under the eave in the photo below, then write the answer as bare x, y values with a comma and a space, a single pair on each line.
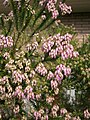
64, 8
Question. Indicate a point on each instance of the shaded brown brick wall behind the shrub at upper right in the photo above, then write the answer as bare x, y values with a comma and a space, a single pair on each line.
81, 22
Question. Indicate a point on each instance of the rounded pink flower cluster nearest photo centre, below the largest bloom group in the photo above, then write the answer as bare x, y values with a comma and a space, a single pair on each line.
41, 69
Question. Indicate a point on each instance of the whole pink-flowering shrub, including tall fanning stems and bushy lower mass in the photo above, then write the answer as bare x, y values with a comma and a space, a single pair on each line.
32, 79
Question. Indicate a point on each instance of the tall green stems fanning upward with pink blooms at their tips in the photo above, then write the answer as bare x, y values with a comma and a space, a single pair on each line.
32, 14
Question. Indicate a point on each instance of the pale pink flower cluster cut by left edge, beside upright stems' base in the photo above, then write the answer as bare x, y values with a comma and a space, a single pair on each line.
6, 41
